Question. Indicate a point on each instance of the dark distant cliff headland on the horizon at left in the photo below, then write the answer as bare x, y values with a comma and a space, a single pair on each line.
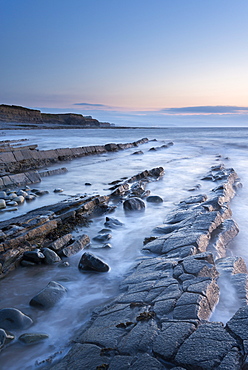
17, 114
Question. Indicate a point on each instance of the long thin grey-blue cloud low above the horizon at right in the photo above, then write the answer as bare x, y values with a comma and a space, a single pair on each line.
208, 109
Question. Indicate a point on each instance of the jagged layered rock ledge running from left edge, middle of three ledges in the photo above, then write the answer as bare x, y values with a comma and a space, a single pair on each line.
49, 226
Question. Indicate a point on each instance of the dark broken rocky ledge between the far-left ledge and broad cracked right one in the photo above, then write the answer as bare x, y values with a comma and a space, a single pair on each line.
50, 226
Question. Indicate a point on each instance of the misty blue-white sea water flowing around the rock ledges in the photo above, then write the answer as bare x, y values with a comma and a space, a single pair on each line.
193, 153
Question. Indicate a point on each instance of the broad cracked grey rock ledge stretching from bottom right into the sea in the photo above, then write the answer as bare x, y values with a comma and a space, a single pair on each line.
160, 319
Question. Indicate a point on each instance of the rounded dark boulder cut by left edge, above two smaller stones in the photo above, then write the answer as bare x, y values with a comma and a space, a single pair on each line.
13, 319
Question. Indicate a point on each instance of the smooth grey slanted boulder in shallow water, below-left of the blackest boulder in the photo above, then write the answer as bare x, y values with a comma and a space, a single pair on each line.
48, 296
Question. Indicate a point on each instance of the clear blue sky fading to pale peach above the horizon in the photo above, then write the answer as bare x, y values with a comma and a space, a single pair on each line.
134, 62
